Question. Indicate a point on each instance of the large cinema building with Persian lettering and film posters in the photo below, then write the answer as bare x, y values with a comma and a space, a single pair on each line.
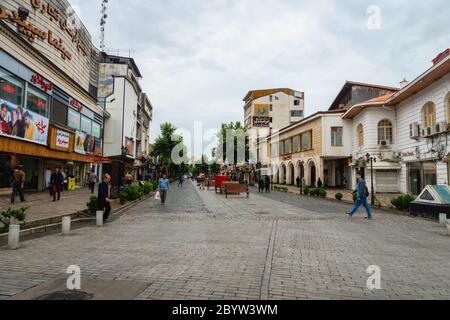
48, 93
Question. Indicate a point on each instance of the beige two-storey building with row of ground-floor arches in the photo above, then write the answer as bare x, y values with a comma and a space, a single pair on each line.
318, 147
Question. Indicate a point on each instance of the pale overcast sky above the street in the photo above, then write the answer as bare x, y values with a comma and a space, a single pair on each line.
200, 57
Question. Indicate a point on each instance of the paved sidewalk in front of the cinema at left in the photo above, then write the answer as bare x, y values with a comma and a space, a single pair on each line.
41, 205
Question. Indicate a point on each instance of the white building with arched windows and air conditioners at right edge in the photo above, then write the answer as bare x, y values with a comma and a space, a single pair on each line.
423, 115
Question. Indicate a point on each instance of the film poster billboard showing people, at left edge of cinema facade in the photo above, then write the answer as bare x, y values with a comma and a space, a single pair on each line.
22, 124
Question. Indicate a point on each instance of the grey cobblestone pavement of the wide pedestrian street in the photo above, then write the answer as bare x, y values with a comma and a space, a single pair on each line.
203, 246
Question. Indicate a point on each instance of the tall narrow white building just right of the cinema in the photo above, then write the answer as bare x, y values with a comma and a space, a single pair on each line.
126, 131
